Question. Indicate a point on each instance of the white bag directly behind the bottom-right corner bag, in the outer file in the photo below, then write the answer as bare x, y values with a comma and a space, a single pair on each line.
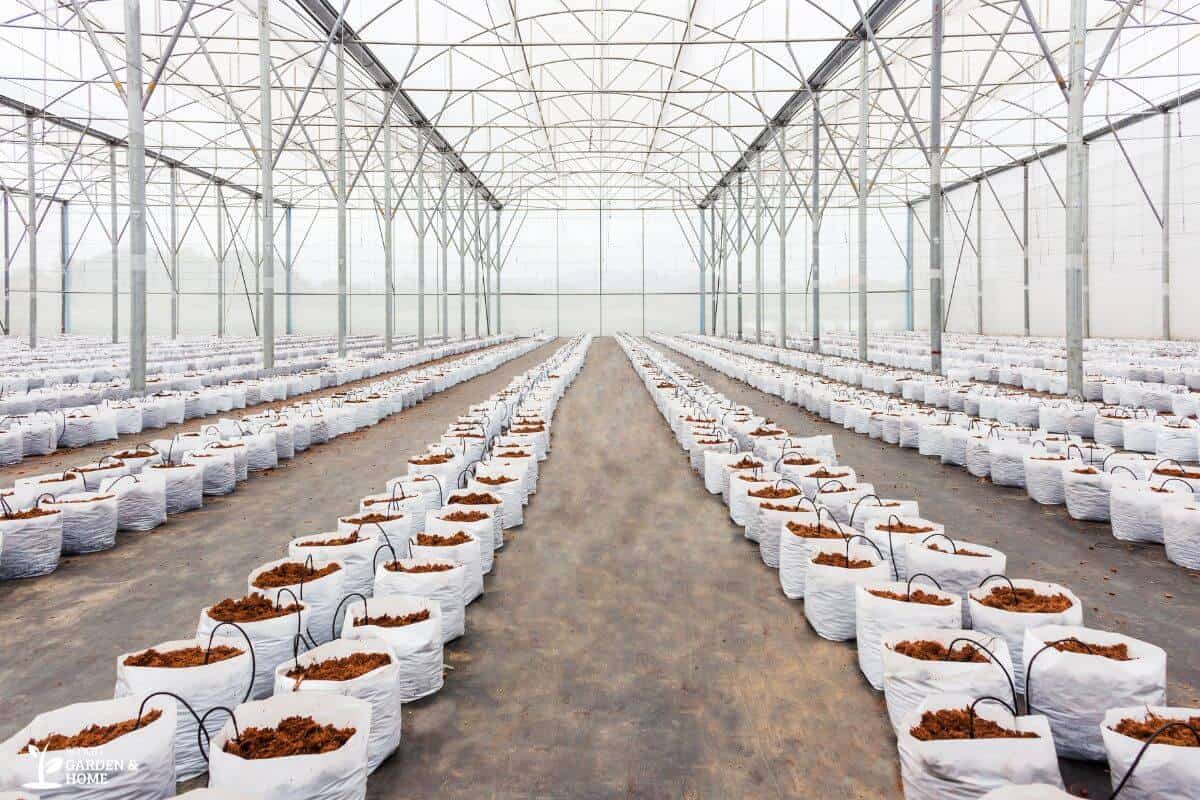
1075, 690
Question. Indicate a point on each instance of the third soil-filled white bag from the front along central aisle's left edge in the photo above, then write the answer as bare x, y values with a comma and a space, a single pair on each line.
417, 647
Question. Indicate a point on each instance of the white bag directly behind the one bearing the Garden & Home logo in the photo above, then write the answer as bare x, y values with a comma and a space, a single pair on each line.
219, 683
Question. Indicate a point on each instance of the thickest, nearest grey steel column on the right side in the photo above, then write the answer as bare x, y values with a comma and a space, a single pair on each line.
1078, 75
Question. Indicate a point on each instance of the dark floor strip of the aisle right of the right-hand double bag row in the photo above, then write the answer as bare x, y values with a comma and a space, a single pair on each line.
1127, 588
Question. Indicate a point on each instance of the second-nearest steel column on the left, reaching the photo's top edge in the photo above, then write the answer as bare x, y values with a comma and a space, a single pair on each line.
267, 181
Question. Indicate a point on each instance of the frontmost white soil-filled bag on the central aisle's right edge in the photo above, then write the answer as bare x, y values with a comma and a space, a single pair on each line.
961, 769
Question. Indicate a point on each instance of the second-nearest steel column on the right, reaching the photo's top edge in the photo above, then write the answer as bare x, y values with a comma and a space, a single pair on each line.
935, 191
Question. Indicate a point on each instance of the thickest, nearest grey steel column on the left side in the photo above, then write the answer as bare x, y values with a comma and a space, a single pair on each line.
137, 176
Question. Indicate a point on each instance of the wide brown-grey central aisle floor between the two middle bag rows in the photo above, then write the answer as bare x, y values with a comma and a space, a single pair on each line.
633, 645
